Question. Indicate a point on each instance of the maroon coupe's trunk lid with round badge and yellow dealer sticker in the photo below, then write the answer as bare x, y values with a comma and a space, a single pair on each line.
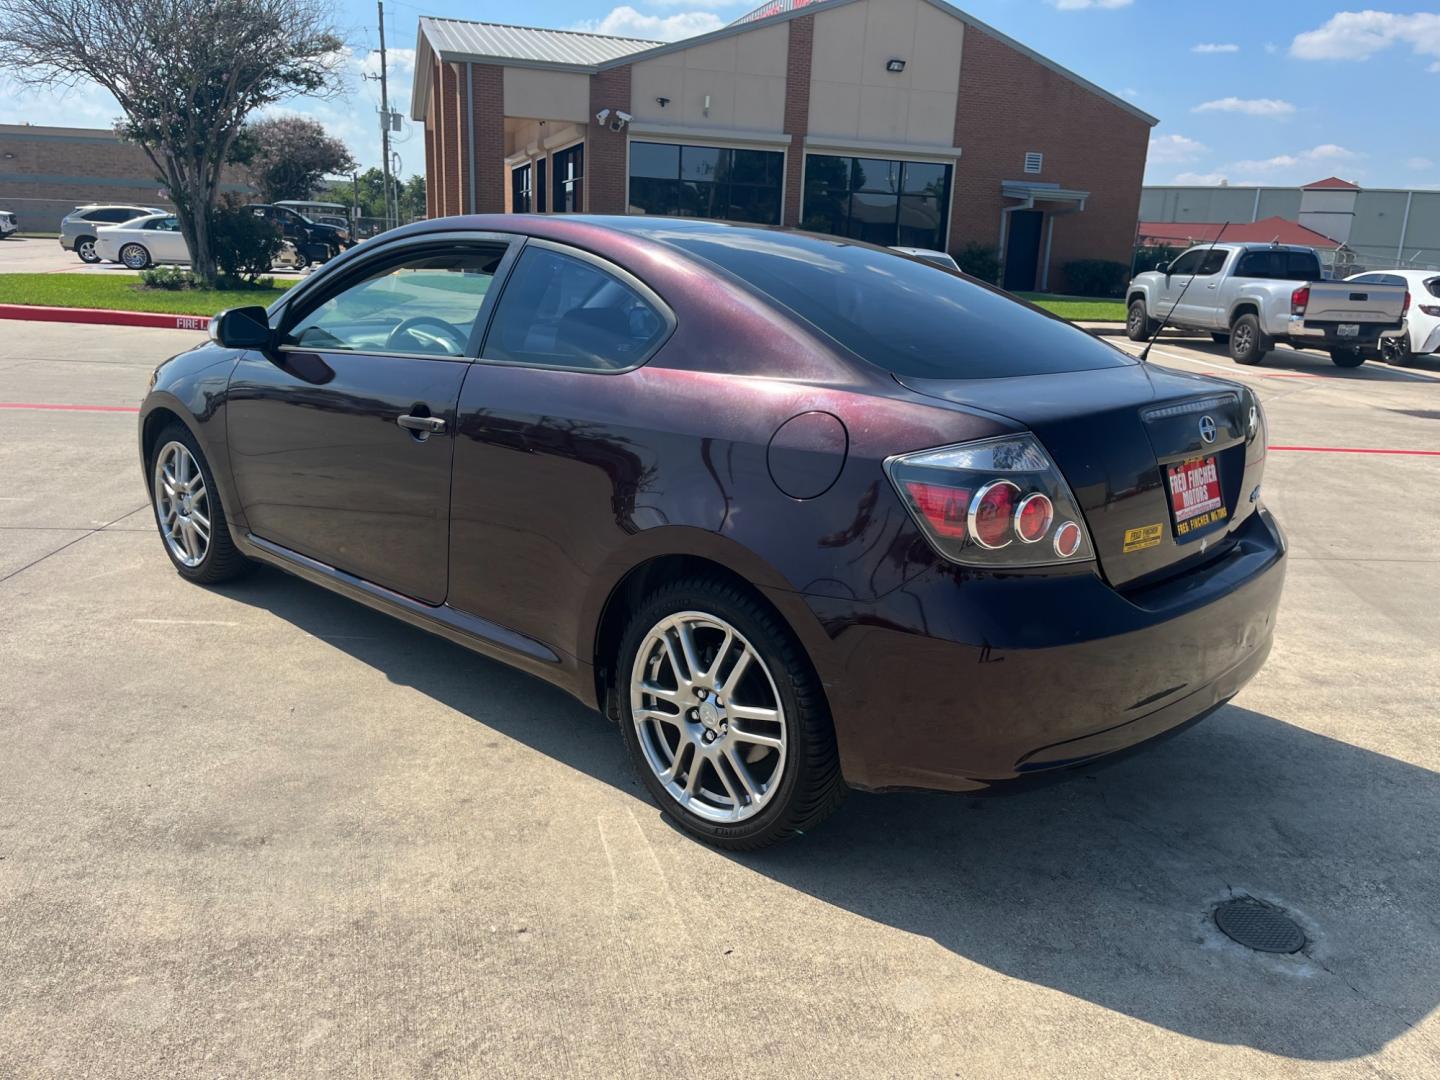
1115, 434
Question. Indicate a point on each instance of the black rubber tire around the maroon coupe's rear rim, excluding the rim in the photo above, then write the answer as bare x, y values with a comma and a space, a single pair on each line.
810, 788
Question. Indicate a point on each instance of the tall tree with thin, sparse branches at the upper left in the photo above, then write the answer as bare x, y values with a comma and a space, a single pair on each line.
186, 74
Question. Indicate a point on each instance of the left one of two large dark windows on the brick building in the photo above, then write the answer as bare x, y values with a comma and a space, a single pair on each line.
706, 182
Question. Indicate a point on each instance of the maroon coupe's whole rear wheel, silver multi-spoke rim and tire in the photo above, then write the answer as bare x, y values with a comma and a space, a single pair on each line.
725, 718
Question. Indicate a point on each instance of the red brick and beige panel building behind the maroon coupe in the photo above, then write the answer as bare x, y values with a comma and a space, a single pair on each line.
894, 122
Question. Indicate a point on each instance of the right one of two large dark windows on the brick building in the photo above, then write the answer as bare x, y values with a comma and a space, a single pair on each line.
878, 201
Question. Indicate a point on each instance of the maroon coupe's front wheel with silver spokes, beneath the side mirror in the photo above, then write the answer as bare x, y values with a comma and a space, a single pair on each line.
188, 510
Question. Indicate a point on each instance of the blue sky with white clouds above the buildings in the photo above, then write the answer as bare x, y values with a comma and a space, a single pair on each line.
1269, 91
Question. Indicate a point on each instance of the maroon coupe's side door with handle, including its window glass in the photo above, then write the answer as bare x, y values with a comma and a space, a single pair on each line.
342, 438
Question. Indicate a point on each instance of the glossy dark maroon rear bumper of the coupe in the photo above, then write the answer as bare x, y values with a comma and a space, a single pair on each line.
955, 683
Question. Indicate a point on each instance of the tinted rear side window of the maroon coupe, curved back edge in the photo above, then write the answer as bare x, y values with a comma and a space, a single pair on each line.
562, 312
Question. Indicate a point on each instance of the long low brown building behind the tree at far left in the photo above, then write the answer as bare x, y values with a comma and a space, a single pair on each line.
48, 172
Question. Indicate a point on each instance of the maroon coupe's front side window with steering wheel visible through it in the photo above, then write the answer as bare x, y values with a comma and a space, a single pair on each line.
427, 306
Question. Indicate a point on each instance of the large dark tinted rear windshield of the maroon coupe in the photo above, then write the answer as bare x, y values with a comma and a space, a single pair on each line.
906, 316
